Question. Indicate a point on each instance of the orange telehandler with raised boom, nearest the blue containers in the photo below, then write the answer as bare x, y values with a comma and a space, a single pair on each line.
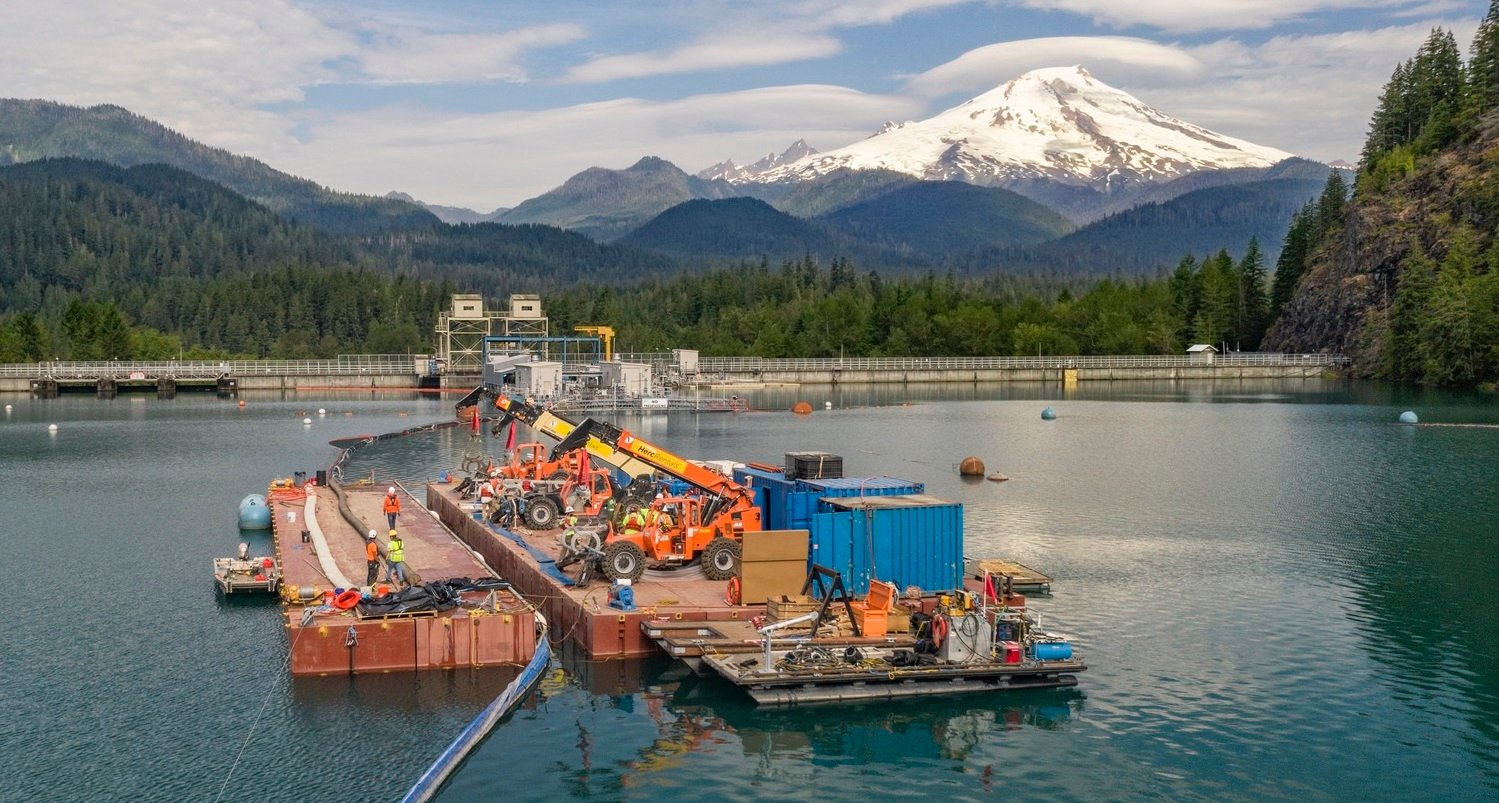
683, 528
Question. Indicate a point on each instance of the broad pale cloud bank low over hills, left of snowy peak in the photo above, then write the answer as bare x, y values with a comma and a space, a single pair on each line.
504, 158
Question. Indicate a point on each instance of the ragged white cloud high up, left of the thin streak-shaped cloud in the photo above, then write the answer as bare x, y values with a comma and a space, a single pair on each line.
413, 56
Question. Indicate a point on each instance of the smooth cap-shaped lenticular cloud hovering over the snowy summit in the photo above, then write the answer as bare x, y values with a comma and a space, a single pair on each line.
992, 65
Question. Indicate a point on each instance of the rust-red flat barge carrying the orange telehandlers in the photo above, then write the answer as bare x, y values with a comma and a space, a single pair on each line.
582, 615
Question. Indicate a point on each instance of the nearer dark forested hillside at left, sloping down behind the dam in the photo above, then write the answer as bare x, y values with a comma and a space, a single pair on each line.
151, 263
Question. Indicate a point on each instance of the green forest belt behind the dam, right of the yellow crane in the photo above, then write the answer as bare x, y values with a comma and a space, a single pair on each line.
806, 309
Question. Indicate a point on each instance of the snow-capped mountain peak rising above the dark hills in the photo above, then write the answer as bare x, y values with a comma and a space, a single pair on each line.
1058, 125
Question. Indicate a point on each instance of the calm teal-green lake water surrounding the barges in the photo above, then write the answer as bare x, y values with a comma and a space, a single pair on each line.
1281, 594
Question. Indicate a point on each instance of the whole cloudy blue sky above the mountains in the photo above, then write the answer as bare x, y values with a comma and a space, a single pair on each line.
485, 104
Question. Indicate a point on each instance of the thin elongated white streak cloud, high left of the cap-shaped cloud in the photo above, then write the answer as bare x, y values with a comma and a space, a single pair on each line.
752, 49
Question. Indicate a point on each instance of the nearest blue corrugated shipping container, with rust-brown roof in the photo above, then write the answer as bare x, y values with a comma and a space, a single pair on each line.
905, 540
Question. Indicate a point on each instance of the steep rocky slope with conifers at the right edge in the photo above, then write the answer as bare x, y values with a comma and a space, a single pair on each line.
1405, 276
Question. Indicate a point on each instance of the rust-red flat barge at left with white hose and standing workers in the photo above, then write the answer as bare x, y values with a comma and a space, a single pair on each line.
488, 628
